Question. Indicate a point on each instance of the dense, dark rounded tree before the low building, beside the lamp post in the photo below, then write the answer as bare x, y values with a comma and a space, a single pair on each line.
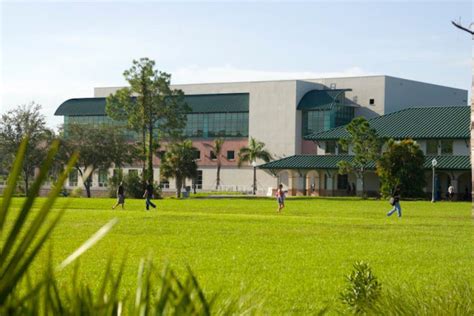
402, 164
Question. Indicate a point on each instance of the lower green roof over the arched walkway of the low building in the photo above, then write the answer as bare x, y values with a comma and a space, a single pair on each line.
313, 162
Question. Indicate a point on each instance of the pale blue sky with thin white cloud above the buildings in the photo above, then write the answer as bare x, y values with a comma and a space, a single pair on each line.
51, 51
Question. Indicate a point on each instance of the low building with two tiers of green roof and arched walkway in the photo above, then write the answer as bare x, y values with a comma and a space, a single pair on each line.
442, 133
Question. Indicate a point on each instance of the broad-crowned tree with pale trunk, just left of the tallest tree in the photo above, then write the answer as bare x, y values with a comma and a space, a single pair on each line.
99, 147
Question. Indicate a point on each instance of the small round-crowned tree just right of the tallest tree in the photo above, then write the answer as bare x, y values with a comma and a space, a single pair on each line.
179, 163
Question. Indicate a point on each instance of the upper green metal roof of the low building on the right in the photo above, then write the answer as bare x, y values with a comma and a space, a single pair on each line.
417, 123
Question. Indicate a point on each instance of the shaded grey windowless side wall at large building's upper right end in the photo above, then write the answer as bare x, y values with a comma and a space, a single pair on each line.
402, 93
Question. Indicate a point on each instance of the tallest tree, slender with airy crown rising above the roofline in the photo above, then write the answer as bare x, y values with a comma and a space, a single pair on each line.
149, 106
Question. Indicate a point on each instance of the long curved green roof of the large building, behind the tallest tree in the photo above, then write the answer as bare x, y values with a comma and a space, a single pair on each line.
199, 103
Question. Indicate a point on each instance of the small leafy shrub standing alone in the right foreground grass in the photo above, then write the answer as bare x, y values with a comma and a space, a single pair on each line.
362, 290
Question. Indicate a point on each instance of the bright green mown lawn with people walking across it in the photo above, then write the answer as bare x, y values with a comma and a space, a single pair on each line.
294, 262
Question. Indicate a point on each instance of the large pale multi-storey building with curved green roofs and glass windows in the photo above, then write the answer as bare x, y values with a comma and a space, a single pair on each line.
278, 113
